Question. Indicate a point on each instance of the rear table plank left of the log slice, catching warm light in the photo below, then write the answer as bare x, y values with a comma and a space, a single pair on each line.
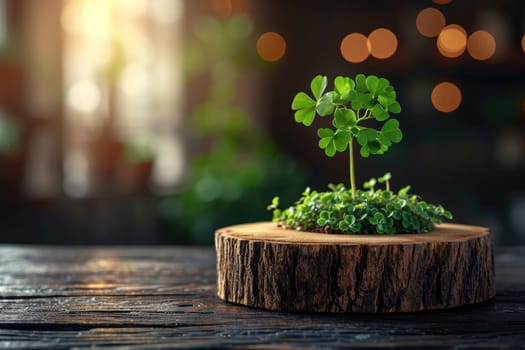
104, 271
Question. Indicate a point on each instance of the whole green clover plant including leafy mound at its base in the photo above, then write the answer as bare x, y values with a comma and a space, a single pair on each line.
361, 111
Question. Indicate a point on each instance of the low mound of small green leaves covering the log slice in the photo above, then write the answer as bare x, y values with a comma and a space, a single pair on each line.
372, 211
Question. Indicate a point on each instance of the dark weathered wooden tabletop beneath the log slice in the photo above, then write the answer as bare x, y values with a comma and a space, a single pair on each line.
155, 297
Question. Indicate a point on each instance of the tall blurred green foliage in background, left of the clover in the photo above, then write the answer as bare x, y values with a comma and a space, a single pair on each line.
235, 169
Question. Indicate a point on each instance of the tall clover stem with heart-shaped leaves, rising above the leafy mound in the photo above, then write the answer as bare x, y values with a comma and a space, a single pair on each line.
351, 103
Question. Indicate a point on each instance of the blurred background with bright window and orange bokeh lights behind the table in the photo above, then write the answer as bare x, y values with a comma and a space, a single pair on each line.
159, 121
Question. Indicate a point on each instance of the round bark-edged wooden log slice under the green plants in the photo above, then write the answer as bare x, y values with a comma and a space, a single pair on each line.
264, 266
